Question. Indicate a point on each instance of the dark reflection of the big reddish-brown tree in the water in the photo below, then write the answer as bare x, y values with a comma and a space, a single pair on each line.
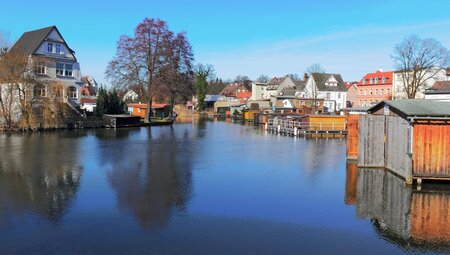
156, 180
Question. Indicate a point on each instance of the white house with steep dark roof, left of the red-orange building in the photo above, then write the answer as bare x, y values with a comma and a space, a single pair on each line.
329, 87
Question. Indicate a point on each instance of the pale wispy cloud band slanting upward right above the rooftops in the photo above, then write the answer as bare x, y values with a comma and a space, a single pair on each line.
351, 52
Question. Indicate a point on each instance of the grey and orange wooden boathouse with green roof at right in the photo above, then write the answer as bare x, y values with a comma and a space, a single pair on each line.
408, 137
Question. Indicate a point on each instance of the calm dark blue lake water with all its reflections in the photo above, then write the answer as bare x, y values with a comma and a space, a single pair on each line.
206, 188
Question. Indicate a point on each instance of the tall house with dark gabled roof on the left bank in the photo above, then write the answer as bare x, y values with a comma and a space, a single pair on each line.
55, 65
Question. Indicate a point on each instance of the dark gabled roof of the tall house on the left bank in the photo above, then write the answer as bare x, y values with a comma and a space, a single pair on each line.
30, 41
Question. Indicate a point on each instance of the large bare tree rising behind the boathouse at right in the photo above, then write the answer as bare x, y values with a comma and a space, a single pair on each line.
419, 60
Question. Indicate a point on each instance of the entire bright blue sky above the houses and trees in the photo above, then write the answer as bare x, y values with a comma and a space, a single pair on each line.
244, 37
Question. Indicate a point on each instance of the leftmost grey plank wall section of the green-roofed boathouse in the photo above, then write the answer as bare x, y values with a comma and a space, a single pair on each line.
371, 141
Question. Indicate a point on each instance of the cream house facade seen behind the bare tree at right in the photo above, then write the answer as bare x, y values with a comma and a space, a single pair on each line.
430, 76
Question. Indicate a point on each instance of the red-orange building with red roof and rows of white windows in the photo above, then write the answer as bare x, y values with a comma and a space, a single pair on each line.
374, 88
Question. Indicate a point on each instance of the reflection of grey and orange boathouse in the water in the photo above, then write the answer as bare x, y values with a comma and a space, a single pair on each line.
414, 220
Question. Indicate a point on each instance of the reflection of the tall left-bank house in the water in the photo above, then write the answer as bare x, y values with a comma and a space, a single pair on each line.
39, 174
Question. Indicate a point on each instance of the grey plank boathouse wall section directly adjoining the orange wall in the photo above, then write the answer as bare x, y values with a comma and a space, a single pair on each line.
398, 146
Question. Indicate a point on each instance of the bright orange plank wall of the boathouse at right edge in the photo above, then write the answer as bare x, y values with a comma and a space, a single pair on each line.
431, 150
